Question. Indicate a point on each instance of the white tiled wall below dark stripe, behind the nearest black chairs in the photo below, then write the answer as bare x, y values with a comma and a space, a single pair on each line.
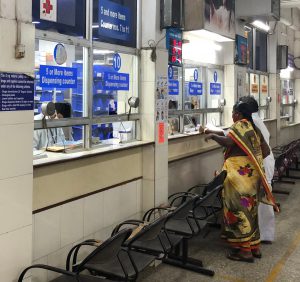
56, 230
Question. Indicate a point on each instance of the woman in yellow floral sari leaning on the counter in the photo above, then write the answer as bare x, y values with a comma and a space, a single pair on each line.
245, 151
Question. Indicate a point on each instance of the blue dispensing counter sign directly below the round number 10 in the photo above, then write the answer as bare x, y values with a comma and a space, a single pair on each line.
115, 81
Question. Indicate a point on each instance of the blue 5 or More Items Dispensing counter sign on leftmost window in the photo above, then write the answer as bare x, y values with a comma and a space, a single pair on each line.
58, 77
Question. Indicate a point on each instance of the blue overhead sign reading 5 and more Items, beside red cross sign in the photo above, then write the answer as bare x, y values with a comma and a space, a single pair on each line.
114, 20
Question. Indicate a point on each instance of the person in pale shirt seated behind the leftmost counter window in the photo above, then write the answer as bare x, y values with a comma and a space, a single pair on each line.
43, 138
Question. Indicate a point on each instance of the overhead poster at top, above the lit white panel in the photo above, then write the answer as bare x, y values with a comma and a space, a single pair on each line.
220, 17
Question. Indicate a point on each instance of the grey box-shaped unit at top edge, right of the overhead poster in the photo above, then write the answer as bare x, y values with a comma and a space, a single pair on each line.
258, 9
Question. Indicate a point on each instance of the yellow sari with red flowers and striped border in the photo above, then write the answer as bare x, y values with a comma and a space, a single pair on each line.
244, 186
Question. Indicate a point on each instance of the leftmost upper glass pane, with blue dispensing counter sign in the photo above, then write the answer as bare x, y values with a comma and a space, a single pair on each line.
59, 78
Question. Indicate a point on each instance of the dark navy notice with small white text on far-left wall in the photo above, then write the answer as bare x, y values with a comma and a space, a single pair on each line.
16, 92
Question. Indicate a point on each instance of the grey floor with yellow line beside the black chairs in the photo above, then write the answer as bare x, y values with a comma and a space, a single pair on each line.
280, 261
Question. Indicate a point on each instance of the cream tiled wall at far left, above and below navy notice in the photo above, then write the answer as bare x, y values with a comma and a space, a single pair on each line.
16, 149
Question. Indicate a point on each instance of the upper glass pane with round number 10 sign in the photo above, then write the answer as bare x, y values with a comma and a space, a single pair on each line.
114, 82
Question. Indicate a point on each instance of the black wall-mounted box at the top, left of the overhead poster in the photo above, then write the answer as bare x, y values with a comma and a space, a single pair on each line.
171, 13
